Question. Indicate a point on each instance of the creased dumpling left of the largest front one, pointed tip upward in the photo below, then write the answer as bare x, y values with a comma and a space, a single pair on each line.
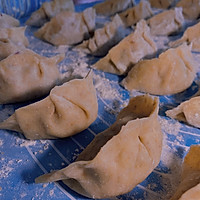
69, 109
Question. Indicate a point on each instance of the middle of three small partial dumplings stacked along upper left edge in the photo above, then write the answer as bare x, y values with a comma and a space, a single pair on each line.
15, 34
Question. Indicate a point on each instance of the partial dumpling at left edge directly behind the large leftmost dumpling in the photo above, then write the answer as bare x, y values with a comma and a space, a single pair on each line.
8, 47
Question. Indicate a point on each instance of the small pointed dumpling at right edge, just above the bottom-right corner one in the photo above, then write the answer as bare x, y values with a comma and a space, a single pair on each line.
188, 111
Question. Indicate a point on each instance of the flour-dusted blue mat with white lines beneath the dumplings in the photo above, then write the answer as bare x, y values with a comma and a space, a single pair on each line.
21, 160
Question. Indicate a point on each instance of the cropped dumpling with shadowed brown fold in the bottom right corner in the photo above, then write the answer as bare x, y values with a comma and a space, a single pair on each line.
190, 176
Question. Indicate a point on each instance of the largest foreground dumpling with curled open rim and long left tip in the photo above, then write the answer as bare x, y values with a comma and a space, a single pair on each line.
120, 157
